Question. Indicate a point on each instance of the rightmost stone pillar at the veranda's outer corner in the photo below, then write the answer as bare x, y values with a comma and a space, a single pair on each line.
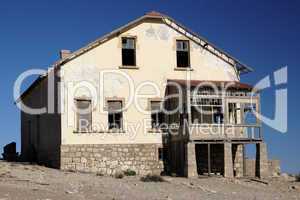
261, 160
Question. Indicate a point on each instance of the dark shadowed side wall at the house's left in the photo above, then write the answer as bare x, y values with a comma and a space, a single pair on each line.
41, 133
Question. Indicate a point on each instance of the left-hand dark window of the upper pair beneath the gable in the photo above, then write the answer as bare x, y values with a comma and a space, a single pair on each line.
128, 51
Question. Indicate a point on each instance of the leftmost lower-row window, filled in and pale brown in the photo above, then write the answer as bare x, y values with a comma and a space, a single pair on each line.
84, 115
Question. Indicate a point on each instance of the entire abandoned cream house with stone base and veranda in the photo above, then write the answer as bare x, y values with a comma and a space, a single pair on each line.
157, 49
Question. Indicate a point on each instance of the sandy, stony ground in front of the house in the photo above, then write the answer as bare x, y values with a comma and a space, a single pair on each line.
33, 184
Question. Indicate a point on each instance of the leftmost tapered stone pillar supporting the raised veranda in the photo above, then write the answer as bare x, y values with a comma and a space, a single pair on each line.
191, 165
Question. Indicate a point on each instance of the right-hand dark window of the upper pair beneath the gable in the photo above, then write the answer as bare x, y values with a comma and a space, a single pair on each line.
183, 53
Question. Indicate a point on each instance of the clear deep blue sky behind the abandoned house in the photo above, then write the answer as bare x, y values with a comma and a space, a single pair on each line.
262, 34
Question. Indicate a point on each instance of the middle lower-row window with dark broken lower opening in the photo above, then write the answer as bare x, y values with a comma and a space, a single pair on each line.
115, 115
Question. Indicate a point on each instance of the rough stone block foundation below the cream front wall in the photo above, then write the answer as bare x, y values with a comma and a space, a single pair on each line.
110, 158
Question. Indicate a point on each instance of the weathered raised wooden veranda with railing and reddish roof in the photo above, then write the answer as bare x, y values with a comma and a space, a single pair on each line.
216, 110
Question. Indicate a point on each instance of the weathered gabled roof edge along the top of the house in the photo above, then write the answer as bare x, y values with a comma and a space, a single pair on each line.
153, 15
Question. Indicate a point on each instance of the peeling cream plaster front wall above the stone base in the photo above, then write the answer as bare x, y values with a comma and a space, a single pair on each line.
156, 62
